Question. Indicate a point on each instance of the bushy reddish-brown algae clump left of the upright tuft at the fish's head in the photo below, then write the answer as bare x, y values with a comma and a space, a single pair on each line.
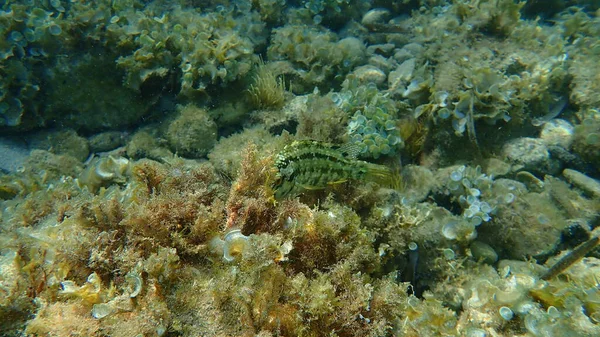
169, 216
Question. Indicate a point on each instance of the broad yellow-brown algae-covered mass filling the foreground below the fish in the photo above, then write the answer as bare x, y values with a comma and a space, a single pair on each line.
137, 255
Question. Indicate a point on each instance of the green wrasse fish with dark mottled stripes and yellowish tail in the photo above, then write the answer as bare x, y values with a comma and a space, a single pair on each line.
312, 165
